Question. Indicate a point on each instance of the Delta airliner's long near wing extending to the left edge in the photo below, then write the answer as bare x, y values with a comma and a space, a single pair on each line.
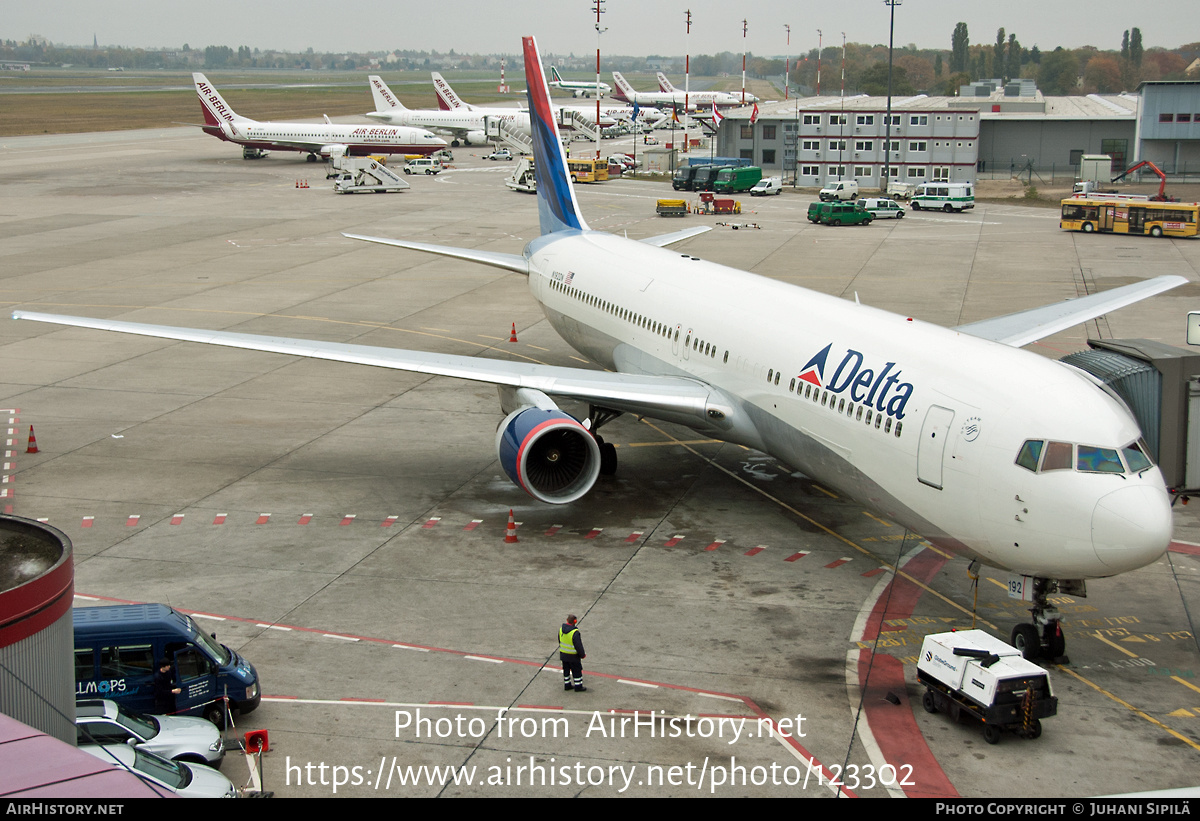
674, 399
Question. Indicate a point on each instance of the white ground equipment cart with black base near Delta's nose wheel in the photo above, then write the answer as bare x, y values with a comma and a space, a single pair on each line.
971, 673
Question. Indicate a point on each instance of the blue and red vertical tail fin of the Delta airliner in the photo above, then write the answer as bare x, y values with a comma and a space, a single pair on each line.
557, 207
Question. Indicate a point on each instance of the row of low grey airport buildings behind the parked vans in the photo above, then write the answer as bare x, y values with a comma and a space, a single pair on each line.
988, 130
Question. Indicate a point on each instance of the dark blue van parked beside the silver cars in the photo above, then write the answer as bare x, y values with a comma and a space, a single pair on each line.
118, 650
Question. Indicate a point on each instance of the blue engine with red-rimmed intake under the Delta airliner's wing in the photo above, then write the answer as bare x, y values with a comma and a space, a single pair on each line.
549, 454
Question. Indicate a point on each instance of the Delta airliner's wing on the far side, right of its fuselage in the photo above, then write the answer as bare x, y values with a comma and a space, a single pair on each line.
1025, 327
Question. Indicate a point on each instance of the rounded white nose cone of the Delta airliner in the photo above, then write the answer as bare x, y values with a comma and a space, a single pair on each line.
1132, 528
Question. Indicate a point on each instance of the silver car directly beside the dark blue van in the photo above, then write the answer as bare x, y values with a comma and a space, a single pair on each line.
177, 738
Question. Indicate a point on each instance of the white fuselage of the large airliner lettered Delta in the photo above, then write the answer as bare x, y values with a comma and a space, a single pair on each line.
919, 422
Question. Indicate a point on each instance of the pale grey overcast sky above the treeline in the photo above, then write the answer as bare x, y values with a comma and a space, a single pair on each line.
655, 27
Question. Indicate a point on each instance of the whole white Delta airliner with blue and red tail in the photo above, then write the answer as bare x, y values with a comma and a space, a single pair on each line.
1001, 456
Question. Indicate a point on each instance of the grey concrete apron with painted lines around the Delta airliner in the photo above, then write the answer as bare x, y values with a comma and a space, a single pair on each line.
344, 528
